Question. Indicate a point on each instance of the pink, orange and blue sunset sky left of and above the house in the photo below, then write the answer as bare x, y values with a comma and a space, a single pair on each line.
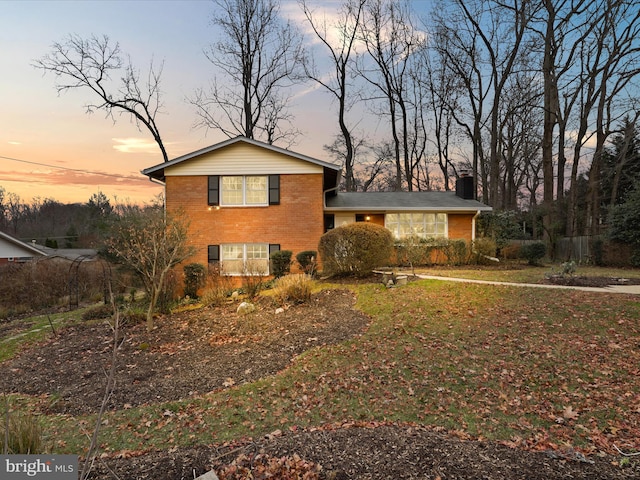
49, 146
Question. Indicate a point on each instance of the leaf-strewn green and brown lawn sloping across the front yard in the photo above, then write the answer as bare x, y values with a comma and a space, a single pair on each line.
529, 367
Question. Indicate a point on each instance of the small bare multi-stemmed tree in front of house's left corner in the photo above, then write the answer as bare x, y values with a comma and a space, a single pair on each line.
150, 242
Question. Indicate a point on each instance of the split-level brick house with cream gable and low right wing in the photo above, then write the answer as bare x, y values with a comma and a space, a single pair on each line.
246, 199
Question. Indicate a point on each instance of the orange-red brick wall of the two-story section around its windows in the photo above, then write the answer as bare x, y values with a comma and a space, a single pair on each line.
296, 224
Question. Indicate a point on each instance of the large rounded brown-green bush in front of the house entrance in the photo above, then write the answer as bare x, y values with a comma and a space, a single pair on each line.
355, 249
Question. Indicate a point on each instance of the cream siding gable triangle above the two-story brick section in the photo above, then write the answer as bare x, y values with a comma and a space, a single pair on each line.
242, 159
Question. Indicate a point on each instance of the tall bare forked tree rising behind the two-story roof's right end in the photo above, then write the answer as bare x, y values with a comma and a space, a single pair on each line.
337, 83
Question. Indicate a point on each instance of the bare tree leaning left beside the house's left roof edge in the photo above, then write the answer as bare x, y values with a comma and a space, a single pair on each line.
80, 63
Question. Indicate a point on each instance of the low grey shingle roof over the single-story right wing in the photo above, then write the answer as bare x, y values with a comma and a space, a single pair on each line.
402, 201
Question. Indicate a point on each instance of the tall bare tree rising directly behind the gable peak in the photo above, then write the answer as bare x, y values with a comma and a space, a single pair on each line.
257, 56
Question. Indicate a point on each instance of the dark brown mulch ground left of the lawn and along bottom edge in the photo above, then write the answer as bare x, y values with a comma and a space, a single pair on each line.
197, 352
